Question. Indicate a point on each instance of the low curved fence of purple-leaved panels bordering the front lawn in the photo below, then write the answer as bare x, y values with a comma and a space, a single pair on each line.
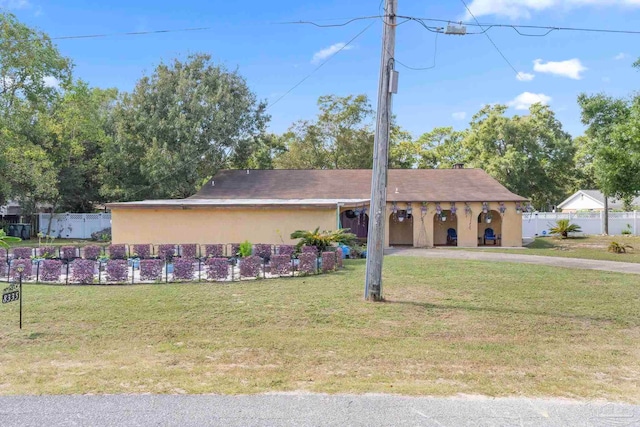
124, 264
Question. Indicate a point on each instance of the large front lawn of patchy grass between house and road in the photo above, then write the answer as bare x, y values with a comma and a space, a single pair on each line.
447, 327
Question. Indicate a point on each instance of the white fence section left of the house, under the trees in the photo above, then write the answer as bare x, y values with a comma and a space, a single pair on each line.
73, 225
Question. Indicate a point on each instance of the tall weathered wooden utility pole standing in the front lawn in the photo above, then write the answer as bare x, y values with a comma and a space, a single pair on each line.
378, 206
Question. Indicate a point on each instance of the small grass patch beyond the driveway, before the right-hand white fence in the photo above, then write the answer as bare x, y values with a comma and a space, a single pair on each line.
587, 247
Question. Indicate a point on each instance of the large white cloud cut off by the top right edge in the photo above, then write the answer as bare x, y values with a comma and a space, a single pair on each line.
516, 9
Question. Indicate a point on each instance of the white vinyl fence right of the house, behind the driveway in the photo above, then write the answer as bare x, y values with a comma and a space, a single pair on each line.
538, 223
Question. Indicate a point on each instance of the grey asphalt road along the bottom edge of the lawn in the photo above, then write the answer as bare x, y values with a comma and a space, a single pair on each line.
307, 410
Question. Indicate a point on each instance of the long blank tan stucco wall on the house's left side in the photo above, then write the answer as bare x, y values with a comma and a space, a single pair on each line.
217, 225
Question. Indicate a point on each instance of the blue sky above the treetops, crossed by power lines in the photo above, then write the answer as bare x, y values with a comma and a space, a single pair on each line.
469, 72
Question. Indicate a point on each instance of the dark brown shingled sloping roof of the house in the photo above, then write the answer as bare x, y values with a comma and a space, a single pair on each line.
435, 185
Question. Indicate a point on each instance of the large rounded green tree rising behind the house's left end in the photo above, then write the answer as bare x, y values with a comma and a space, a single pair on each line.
180, 125
